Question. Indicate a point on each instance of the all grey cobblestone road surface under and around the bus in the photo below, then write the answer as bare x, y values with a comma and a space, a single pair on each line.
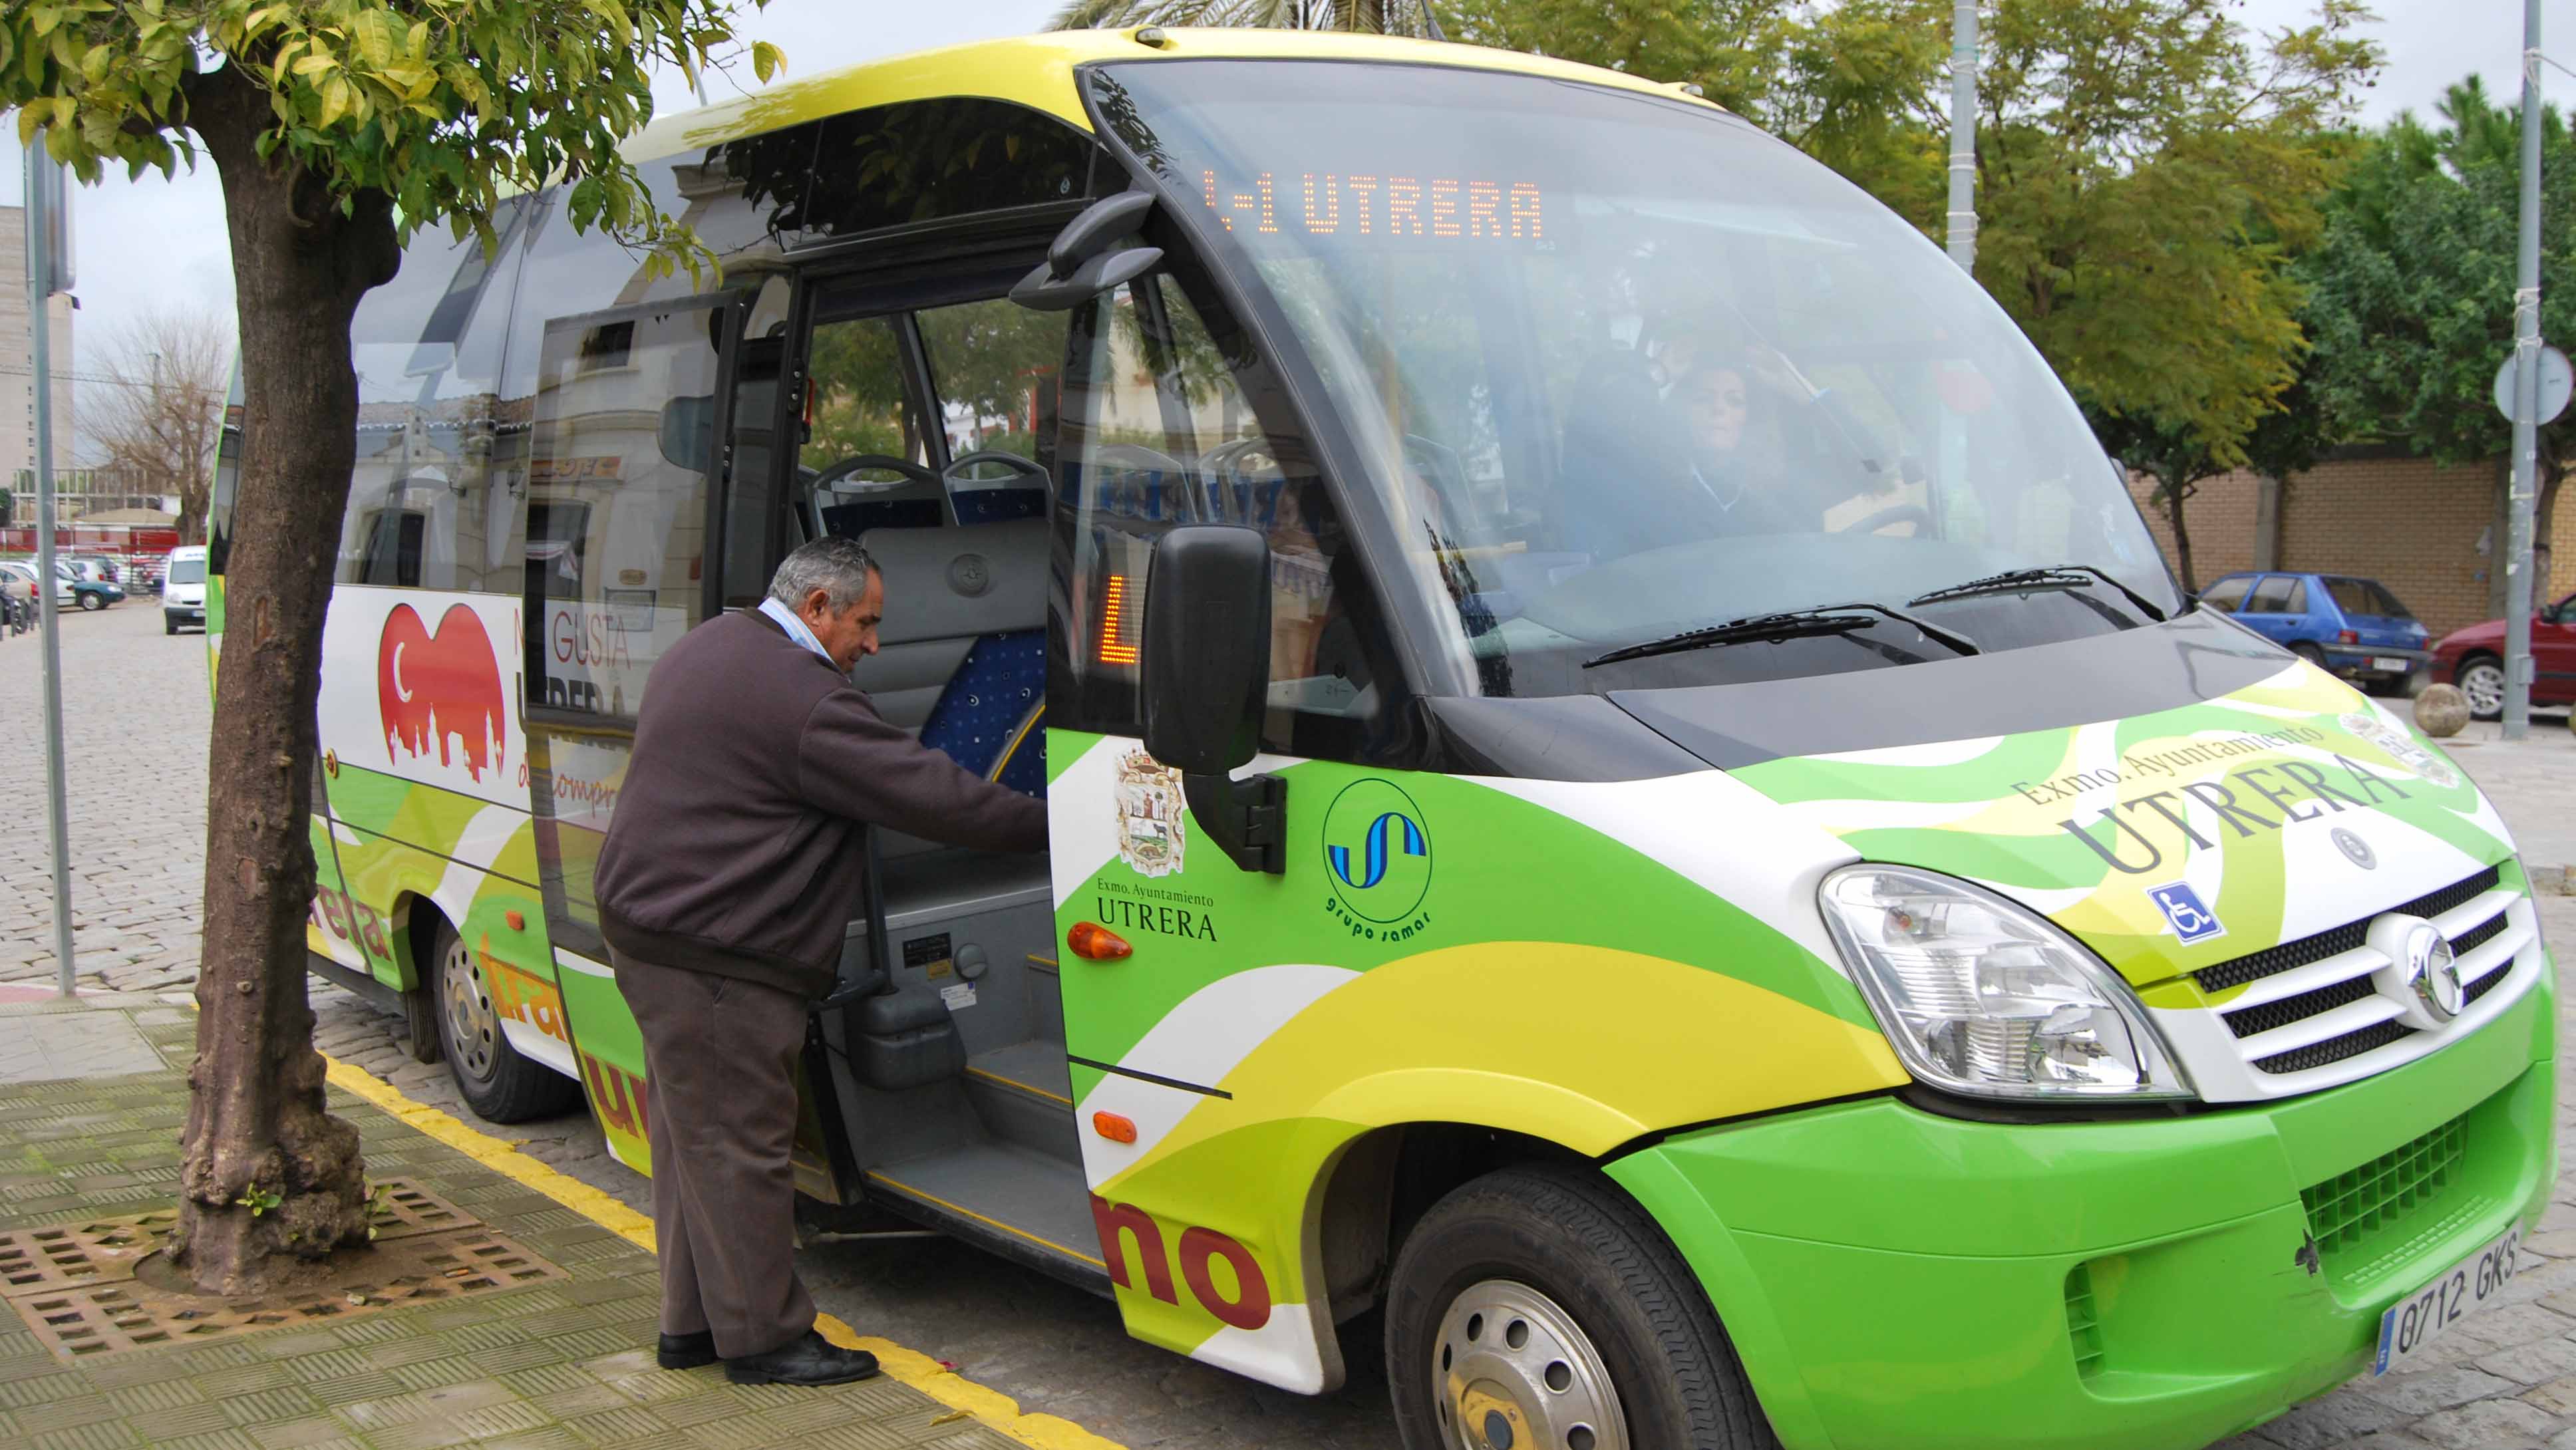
2497, 1384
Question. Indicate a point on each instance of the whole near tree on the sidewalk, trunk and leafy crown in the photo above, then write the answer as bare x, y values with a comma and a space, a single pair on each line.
336, 127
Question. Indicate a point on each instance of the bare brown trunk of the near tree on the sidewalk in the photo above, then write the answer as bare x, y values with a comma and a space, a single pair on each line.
267, 1168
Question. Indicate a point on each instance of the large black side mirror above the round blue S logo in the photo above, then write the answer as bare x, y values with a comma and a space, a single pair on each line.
1207, 681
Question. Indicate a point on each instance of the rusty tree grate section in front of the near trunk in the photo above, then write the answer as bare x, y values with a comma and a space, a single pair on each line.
421, 1268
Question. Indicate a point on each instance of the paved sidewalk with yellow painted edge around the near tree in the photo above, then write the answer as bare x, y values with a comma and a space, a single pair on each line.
563, 1364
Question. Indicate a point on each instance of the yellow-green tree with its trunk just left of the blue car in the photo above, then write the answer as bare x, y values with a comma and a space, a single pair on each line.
2147, 174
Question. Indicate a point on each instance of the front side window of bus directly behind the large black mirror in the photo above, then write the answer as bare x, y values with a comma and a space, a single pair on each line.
1158, 431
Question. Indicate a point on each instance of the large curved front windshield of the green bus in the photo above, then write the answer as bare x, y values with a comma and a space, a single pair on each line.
1624, 367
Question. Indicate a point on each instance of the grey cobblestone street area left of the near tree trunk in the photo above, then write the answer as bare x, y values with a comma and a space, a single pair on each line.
135, 738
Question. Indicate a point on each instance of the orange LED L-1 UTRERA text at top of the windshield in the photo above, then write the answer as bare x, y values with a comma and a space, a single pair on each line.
1374, 205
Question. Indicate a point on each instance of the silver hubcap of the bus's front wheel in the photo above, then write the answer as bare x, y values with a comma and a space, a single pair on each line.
1516, 1374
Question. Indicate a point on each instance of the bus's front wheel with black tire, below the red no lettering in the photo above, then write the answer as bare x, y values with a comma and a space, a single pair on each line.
1604, 1266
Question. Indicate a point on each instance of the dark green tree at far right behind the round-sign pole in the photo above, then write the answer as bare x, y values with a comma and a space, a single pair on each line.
2412, 290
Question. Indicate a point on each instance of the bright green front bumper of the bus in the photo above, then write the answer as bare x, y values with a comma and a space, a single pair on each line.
1910, 1281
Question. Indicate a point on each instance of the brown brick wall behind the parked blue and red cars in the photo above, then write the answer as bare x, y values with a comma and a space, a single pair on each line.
2402, 522
